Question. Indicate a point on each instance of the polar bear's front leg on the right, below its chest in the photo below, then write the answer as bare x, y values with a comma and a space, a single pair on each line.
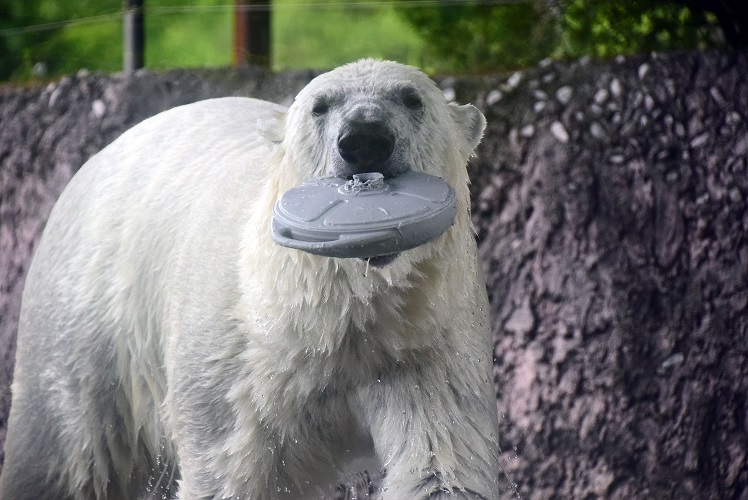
436, 431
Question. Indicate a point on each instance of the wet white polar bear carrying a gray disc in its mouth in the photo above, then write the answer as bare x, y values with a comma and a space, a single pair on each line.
169, 348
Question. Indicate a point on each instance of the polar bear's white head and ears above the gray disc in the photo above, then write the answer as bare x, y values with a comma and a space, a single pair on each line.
378, 116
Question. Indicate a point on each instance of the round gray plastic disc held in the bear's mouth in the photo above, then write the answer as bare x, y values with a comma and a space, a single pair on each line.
366, 217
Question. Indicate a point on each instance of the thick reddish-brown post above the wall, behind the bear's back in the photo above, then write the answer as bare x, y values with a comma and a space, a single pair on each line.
252, 32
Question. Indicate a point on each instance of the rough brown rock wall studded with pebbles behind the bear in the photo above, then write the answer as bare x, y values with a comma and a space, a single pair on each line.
610, 203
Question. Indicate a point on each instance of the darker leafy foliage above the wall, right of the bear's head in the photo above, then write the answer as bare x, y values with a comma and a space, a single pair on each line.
487, 36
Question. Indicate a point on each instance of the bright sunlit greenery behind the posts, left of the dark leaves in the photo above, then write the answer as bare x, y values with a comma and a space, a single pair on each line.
319, 34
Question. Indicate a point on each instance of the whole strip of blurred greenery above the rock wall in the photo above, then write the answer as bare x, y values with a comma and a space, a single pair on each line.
43, 39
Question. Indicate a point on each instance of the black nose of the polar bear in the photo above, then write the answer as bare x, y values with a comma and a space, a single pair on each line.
365, 143
